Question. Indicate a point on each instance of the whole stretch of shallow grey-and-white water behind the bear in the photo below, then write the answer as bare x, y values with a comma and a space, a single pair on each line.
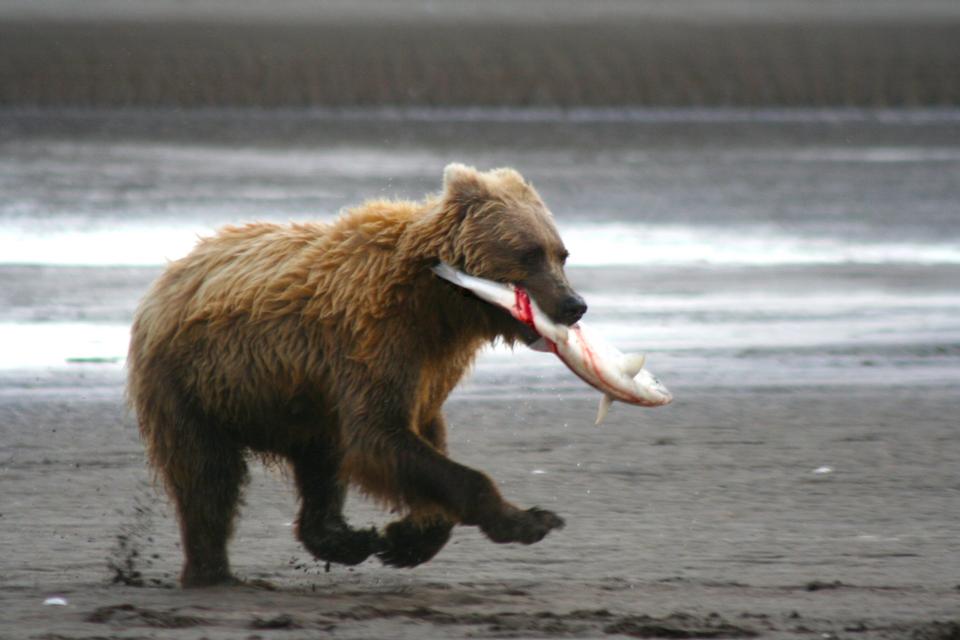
786, 248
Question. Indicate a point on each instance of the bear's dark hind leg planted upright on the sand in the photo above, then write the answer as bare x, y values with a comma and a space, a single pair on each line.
206, 486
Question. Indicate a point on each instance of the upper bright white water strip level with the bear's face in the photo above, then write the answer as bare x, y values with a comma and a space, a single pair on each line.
112, 243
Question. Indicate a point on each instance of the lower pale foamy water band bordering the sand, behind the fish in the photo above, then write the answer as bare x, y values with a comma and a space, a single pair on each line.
716, 339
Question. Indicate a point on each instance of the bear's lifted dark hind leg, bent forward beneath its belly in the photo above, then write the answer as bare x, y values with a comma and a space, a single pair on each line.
321, 526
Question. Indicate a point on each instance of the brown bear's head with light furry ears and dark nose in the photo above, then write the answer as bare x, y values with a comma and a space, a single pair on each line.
504, 232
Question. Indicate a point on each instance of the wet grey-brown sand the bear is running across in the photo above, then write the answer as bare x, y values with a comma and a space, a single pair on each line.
704, 519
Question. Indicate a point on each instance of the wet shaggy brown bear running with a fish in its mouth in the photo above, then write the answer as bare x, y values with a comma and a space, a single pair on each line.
333, 347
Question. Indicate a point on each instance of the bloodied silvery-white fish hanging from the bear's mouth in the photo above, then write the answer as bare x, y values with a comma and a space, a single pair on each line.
618, 376
